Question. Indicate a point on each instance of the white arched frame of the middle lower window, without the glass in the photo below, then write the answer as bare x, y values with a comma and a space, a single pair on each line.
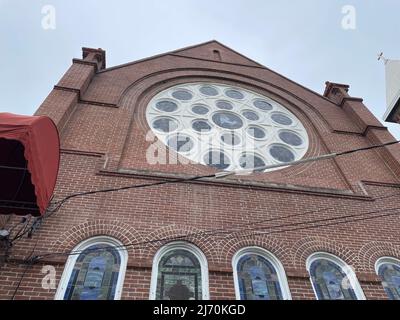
280, 271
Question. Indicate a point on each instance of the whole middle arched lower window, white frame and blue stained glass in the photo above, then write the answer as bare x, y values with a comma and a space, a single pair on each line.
259, 275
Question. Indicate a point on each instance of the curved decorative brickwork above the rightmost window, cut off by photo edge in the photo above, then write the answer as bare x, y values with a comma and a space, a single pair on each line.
370, 252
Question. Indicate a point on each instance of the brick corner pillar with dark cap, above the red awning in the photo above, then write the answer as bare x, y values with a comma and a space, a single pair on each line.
62, 100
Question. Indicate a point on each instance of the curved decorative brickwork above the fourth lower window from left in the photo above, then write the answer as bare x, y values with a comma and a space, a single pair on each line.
303, 248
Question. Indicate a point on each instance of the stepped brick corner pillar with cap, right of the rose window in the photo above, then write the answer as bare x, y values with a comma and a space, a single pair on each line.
369, 125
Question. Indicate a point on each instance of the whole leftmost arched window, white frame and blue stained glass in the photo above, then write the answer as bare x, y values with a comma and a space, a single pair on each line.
95, 272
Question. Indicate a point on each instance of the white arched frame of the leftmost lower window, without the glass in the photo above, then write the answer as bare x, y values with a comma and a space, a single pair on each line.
69, 266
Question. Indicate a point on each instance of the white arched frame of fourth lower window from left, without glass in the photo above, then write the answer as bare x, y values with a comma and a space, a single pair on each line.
346, 269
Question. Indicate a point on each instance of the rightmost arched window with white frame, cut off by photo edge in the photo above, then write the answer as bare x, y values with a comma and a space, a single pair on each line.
389, 271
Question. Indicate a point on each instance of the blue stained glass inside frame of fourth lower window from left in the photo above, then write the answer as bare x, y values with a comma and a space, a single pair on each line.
330, 282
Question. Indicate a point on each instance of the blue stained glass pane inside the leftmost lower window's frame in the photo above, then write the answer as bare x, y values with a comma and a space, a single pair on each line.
95, 274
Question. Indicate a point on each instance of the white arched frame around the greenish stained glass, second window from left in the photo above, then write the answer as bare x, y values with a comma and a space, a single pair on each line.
180, 245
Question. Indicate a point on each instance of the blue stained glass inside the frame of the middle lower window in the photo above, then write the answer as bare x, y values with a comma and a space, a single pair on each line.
258, 279
